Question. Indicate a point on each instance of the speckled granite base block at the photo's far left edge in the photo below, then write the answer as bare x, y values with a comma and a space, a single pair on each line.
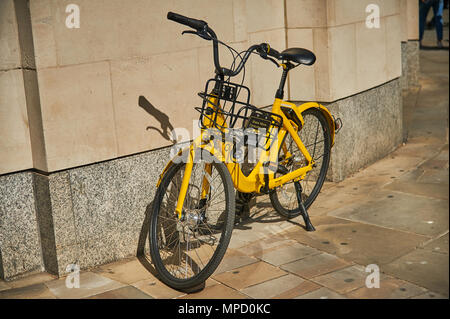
20, 250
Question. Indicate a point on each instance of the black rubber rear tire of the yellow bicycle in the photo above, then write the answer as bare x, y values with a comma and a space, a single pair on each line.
308, 116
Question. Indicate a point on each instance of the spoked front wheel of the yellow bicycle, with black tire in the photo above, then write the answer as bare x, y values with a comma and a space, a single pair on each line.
185, 251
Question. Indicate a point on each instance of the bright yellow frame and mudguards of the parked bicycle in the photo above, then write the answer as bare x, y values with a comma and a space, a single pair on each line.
256, 181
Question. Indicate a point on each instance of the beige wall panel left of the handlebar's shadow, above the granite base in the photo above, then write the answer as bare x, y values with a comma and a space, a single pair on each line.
77, 115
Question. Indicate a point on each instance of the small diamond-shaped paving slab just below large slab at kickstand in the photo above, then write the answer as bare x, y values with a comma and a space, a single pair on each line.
315, 265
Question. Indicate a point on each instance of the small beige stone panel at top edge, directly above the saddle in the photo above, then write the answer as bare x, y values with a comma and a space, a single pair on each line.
306, 13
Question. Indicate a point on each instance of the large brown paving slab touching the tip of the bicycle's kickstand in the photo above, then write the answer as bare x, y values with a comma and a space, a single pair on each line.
357, 242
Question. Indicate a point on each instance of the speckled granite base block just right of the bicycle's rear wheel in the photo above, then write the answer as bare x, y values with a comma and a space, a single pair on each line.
372, 128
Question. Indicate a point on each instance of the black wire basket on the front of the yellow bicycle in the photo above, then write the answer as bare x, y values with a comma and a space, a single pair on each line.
231, 110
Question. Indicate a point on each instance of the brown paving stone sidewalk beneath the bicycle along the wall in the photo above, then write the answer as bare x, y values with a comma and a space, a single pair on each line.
393, 214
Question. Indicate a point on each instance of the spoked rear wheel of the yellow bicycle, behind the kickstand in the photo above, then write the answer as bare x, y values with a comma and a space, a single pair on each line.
315, 135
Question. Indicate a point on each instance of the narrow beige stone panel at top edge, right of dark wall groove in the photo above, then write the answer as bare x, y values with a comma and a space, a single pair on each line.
43, 22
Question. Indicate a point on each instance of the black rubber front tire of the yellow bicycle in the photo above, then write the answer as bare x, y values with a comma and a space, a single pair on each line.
197, 279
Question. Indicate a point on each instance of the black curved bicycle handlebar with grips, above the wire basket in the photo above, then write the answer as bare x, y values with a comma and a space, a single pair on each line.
204, 31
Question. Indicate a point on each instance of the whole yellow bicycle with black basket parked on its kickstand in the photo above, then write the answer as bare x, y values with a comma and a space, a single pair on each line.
287, 150
